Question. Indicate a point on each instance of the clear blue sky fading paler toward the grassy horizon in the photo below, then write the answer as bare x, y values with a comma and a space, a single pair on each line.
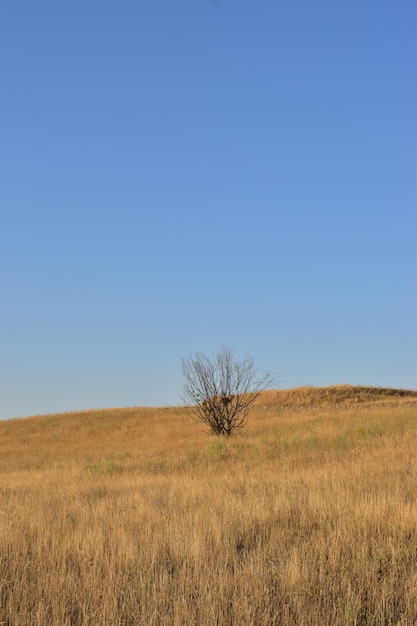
185, 175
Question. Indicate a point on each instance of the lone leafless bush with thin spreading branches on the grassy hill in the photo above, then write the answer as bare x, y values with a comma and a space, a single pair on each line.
220, 391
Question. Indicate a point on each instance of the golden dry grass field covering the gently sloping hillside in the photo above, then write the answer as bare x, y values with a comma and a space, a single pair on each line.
139, 517
